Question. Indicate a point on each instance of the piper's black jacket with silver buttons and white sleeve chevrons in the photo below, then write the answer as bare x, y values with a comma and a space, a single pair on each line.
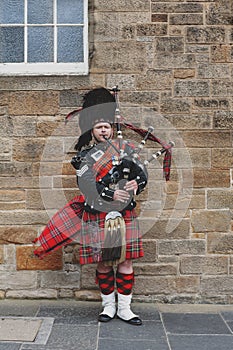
99, 194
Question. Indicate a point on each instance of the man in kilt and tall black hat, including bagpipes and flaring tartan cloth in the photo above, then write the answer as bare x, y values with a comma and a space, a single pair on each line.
102, 219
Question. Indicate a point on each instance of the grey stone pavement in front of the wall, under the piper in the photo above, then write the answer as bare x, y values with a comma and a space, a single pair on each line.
72, 325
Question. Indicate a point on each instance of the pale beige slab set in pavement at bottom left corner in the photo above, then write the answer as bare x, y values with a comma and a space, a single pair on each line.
17, 329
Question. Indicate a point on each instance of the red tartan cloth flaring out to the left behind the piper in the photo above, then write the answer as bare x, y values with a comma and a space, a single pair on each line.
63, 228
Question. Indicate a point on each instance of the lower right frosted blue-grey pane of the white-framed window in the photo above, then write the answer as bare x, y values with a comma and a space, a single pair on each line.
70, 44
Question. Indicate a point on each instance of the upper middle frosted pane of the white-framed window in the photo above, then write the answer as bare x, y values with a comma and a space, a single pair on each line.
40, 12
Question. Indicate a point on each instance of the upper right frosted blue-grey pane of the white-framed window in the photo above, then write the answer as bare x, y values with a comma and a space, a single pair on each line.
70, 11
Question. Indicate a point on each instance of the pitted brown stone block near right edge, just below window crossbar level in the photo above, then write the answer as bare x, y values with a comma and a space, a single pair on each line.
206, 35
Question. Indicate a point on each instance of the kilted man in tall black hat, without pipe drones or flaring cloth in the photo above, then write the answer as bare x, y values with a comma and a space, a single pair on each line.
108, 178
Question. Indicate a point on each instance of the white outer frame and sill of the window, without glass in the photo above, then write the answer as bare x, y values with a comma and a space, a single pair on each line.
52, 68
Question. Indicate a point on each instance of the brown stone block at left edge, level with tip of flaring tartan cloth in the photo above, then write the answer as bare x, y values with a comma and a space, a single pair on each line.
17, 234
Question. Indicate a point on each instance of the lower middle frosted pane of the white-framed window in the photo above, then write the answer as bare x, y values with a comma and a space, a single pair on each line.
40, 44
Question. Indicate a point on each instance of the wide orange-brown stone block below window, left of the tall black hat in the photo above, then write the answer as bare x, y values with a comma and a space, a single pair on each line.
33, 103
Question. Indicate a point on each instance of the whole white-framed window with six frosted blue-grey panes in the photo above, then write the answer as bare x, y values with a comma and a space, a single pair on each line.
43, 37
